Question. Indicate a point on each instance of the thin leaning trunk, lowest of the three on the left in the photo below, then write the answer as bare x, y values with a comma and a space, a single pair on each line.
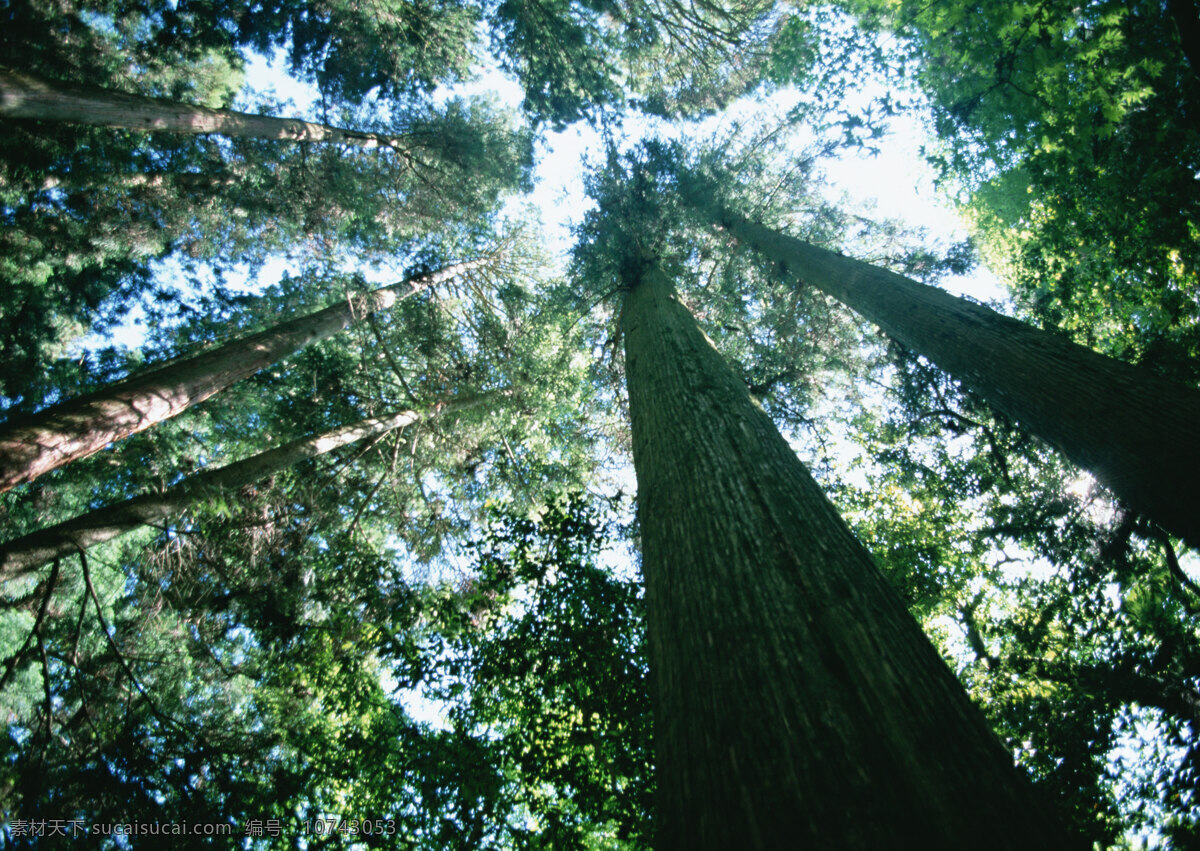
23, 555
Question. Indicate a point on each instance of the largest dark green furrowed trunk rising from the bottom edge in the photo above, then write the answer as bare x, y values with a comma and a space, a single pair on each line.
797, 705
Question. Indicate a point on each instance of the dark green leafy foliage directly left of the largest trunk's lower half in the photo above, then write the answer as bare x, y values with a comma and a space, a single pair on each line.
548, 667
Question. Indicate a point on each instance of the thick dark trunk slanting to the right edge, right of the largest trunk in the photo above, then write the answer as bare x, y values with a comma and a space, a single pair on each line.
1138, 433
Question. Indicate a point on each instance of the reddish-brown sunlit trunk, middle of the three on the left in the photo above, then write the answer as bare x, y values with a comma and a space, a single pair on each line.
80, 428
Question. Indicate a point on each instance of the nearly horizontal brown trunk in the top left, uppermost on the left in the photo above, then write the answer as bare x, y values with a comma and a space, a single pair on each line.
33, 98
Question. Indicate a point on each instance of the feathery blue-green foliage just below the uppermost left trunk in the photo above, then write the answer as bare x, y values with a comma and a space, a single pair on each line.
244, 202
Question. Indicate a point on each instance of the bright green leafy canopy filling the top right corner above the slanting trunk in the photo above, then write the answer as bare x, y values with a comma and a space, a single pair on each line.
1070, 135
